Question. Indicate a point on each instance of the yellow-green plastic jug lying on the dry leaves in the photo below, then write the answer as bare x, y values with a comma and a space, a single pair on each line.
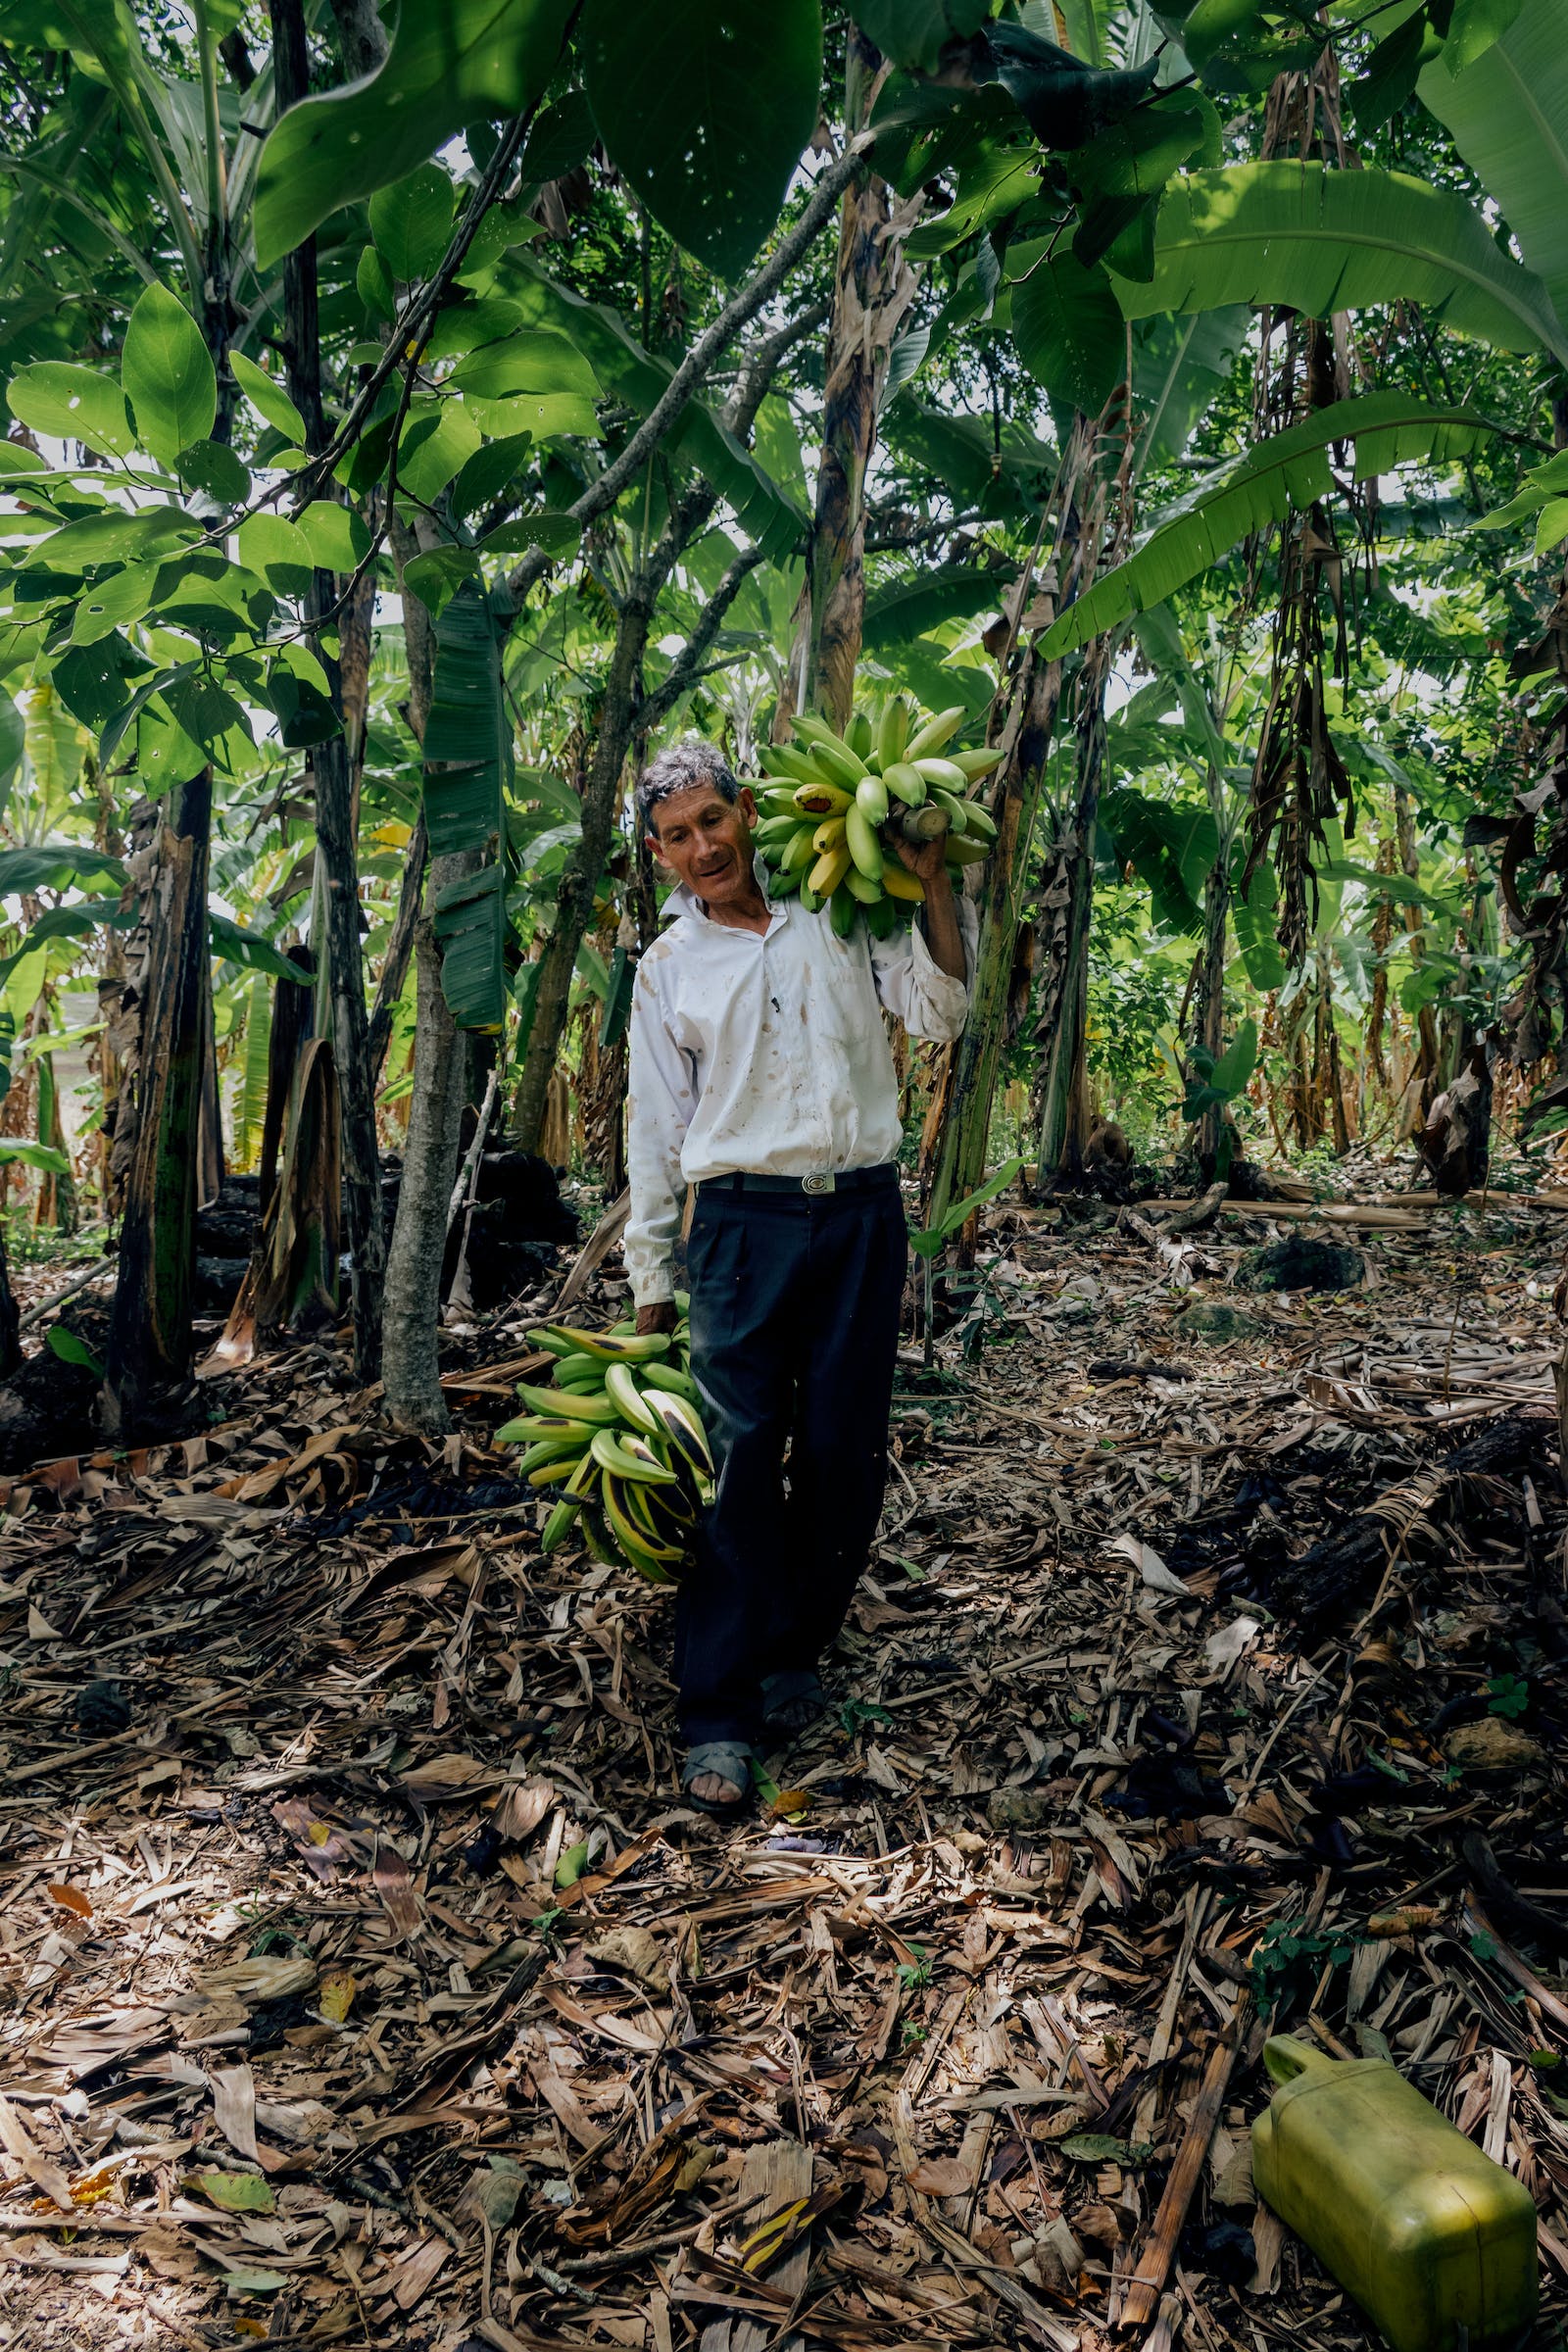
1412, 2219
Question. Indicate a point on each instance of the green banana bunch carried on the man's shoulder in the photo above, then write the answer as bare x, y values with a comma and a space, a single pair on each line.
836, 808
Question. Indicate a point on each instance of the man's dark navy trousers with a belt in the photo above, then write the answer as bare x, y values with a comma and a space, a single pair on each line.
793, 1337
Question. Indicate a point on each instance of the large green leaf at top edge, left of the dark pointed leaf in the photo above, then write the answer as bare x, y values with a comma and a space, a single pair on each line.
453, 62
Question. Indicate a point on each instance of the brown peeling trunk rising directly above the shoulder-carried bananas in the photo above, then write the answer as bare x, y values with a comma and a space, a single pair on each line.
873, 290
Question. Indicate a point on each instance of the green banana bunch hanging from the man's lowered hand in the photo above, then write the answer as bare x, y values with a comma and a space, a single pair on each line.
624, 1441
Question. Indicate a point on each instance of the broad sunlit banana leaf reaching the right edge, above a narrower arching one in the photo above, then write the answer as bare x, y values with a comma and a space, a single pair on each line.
1339, 241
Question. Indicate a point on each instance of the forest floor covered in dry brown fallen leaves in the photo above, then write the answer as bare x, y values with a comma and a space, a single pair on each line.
370, 1986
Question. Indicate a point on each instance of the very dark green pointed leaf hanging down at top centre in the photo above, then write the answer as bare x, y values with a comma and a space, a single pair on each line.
706, 107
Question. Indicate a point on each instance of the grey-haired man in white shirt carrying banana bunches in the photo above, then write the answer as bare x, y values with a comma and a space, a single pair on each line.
763, 1076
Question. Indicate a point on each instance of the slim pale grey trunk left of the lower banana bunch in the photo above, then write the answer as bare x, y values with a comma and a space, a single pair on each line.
431, 1154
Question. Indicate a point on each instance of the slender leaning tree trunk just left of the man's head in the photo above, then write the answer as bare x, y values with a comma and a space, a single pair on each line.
587, 862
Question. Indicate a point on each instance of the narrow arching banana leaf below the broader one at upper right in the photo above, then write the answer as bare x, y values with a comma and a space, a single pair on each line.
1289, 469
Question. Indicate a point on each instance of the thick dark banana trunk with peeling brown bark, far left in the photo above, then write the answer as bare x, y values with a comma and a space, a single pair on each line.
149, 1332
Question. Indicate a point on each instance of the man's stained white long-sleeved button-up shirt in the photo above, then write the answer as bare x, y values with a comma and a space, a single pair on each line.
765, 1055
